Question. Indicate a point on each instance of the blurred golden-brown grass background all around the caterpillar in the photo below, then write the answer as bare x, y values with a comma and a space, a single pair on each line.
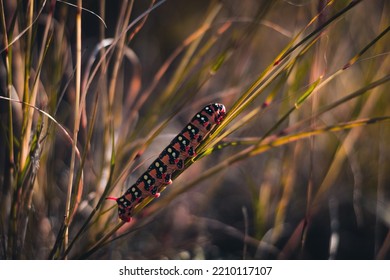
305, 84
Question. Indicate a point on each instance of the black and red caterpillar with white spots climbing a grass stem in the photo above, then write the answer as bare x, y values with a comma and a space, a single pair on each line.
172, 158
